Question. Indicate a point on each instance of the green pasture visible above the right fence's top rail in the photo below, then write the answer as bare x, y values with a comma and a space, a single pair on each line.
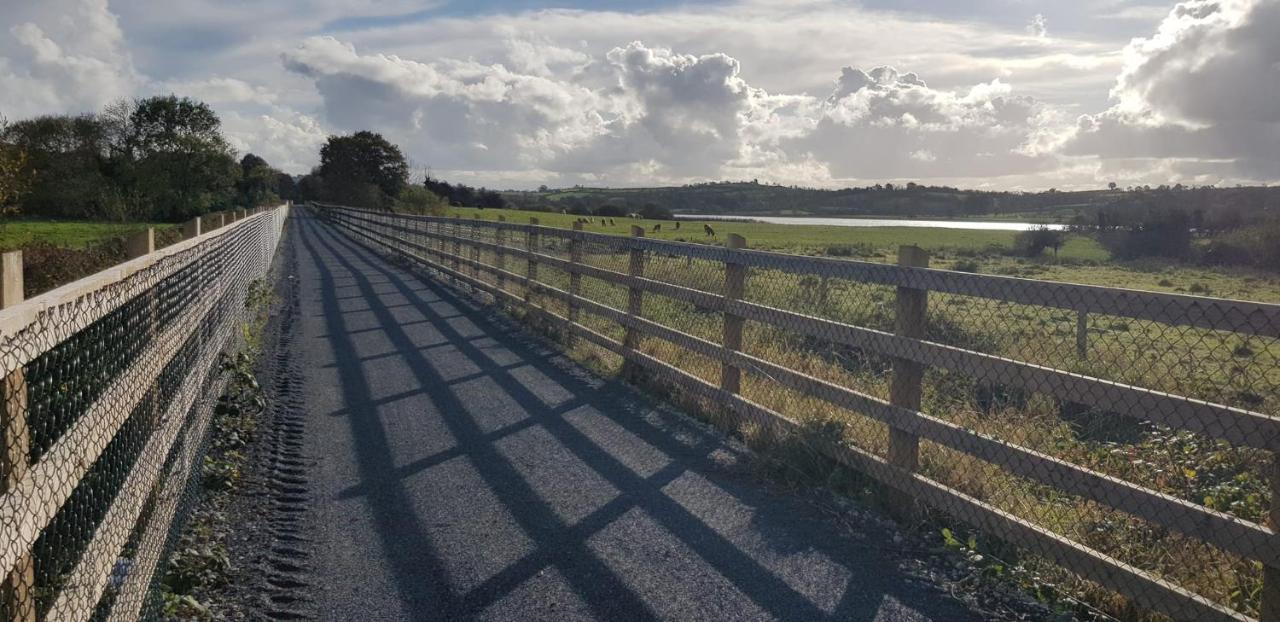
1082, 260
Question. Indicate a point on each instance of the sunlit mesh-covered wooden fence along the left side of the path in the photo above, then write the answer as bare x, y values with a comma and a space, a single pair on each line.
108, 388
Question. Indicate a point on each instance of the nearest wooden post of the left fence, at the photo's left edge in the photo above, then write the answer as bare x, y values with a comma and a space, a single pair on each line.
20, 586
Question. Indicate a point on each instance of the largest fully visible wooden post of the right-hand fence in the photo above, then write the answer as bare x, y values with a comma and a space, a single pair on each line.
909, 321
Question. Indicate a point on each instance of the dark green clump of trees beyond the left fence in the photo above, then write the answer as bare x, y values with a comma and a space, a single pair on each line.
154, 159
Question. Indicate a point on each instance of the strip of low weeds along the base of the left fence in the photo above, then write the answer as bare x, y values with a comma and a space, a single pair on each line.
200, 565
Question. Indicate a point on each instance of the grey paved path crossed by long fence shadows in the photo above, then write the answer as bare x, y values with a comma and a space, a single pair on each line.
461, 470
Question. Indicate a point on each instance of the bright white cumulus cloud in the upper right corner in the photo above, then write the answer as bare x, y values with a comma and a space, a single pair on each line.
1204, 89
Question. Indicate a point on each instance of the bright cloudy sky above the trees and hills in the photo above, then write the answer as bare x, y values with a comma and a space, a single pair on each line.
515, 94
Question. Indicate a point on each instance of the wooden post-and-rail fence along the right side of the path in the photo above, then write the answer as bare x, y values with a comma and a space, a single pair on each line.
455, 248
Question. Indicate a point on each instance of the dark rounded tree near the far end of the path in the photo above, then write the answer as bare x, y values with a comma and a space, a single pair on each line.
363, 168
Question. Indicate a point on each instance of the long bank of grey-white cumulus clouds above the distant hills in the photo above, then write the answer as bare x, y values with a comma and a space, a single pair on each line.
646, 115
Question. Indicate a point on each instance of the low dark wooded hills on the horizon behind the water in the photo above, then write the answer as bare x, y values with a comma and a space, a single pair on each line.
748, 199
